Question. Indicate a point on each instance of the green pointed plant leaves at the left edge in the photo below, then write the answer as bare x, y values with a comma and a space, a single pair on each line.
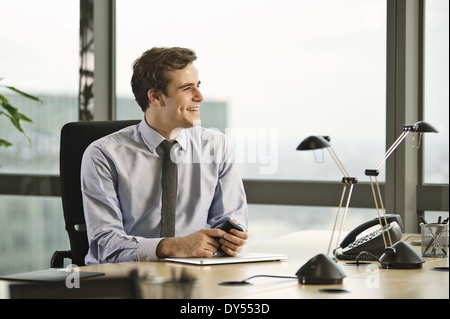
13, 113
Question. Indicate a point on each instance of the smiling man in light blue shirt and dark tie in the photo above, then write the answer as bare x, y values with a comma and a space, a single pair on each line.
121, 174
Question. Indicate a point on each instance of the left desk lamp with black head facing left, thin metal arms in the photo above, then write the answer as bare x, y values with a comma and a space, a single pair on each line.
322, 269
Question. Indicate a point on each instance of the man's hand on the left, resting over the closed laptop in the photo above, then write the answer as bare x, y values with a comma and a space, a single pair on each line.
202, 243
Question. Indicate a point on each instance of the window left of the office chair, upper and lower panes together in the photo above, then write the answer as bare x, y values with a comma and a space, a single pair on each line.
39, 54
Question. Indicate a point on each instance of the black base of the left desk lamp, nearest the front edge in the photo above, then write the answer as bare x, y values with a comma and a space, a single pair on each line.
320, 270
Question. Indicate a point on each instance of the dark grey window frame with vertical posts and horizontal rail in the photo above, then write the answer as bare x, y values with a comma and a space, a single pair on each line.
404, 104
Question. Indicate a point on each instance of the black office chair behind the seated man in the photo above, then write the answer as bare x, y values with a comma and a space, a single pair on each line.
75, 138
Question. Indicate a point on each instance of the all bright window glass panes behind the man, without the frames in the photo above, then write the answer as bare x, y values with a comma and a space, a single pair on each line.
272, 74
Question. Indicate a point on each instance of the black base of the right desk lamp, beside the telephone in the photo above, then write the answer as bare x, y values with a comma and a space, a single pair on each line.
401, 256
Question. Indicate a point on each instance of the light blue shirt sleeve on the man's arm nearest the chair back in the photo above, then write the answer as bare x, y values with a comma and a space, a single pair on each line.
108, 241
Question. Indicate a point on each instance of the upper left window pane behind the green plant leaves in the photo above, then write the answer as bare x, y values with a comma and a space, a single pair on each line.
39, 55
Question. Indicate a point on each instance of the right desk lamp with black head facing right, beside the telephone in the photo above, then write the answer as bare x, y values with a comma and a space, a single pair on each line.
401, 255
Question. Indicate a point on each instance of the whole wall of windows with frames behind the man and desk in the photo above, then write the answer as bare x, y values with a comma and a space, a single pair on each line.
272, 74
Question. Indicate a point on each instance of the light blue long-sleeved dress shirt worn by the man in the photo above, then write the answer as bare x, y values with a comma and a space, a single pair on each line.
121, 187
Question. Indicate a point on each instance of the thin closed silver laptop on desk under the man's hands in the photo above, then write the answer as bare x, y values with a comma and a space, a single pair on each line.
218, 259
